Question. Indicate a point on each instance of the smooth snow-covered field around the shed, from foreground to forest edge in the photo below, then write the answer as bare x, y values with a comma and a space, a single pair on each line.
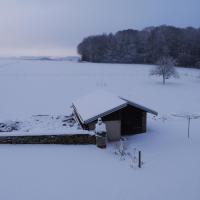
171, 161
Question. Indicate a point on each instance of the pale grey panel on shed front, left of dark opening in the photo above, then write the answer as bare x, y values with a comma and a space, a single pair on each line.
113, 130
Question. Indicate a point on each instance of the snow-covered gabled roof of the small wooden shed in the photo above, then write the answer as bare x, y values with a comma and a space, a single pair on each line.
101, 103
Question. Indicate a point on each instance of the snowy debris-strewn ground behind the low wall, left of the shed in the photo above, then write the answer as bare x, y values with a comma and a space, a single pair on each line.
42, 125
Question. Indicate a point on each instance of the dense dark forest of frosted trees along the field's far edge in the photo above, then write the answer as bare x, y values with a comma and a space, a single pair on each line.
145, 46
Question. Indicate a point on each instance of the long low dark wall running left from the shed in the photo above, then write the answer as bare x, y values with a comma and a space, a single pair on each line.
49, 139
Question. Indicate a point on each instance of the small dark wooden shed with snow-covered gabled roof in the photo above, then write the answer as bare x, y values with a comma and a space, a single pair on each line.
121, 116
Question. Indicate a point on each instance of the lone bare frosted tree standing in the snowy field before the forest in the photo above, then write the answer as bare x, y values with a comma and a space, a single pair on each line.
165, 68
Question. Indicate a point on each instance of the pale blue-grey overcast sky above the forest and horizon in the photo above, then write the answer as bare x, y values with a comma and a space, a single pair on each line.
55, 27
